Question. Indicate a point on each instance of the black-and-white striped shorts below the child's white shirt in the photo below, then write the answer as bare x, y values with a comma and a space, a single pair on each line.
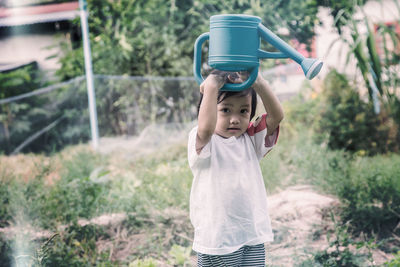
251, 256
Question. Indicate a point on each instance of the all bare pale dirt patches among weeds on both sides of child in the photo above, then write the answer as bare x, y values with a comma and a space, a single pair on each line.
300, 220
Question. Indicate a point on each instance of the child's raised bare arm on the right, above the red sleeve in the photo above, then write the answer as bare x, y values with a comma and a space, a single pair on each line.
271, 104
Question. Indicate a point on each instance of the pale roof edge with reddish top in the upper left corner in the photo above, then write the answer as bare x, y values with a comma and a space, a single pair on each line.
38, 14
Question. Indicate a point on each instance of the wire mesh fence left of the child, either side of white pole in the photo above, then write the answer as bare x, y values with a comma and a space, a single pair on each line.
53, 117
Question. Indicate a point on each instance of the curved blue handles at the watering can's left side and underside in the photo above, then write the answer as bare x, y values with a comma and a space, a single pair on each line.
197, 68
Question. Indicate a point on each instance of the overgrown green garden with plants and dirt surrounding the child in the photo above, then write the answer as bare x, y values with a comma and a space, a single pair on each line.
333, 180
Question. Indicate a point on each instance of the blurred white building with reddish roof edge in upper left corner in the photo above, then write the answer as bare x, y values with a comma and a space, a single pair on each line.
31, 34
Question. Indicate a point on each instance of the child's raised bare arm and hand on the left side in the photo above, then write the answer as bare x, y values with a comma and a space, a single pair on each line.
207, 118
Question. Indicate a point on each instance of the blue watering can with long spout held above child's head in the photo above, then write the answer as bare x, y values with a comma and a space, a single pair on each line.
234, 42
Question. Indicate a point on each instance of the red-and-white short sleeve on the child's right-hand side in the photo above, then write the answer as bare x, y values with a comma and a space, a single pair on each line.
262, 142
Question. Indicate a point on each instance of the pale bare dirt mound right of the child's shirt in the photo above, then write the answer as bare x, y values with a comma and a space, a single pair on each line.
301, 219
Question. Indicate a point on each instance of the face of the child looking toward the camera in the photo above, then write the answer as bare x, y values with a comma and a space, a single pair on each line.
233, 116
